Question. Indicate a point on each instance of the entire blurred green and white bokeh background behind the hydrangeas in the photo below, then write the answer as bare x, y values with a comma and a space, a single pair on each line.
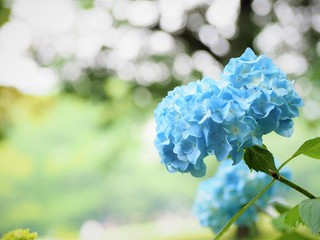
79, 80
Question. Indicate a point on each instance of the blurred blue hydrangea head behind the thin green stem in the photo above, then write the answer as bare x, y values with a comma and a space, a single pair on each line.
220, 197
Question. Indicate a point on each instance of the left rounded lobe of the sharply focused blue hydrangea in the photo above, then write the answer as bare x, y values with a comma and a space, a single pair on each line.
185, 120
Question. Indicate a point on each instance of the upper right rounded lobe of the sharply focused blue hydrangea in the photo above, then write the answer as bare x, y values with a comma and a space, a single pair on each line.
265, 88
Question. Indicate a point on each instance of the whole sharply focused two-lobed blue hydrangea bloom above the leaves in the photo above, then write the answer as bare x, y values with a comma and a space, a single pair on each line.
224, 117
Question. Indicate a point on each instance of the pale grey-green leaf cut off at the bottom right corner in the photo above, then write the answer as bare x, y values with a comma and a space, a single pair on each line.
309, 210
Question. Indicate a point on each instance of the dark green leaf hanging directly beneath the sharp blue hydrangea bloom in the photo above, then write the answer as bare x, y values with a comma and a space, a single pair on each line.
260, 159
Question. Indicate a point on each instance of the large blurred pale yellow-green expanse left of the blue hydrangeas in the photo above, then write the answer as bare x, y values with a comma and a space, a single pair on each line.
66, 160
